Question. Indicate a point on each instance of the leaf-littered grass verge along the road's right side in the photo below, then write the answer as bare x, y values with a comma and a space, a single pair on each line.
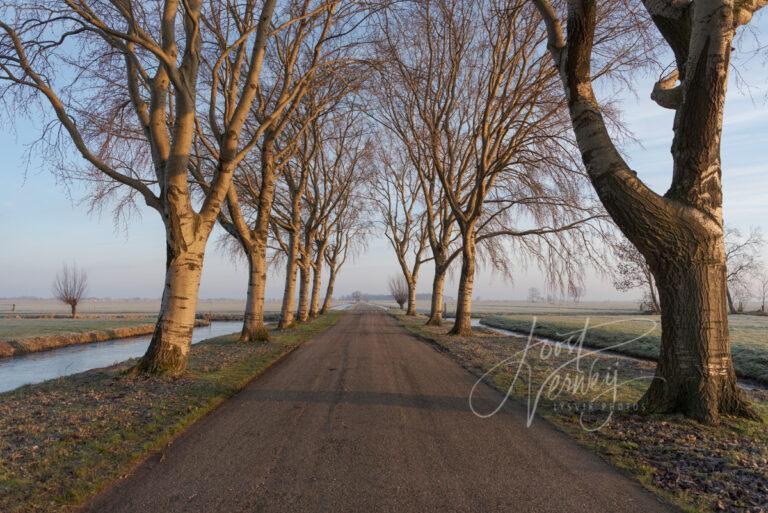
698, 468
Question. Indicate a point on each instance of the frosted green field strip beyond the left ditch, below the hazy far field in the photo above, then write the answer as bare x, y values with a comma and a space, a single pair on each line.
26, 328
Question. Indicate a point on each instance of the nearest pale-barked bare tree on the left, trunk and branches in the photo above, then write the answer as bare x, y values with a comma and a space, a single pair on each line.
130, 84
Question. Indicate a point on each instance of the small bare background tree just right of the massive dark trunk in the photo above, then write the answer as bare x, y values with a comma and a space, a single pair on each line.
742, 260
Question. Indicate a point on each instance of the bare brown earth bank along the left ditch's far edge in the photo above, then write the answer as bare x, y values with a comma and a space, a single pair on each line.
16, 347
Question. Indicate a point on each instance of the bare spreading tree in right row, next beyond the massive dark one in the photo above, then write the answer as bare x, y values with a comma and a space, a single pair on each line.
474, 102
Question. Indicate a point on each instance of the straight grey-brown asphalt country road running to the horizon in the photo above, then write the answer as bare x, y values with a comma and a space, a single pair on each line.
366, 418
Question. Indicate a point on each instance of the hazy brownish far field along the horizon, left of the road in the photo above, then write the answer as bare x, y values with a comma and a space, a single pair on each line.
114, 306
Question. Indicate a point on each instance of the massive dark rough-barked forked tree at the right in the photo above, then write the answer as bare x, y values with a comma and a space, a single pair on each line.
681, 233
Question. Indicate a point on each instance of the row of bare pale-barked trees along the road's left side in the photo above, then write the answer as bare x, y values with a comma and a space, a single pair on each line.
237, 113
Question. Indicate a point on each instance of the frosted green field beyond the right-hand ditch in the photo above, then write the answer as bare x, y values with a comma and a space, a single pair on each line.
749, 336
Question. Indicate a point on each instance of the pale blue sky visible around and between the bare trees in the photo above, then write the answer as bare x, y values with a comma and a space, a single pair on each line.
43, 225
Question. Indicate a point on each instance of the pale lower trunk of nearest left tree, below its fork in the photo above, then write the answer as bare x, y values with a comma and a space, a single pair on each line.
169, 348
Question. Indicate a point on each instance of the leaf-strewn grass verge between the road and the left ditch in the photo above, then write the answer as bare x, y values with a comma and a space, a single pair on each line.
63, 440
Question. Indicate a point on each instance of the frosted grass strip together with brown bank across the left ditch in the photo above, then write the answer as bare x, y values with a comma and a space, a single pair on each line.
22, 336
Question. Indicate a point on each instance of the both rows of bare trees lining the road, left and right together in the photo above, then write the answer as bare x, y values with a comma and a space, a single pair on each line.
474, 124
